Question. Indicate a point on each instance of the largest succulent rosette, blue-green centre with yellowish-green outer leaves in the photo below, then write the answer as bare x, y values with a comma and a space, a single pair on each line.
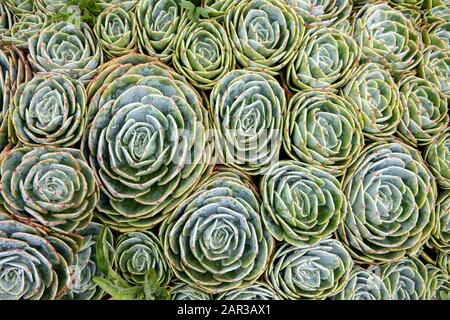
148, 142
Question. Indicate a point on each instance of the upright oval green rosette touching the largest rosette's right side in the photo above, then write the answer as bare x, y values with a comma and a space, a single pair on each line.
247, 109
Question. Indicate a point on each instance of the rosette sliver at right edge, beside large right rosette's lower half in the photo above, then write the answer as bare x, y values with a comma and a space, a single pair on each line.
441, 232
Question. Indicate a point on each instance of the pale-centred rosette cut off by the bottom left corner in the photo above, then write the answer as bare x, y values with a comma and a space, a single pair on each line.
35, 263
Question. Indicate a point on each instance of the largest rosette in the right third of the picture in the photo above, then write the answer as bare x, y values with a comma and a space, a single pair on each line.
392, 199
